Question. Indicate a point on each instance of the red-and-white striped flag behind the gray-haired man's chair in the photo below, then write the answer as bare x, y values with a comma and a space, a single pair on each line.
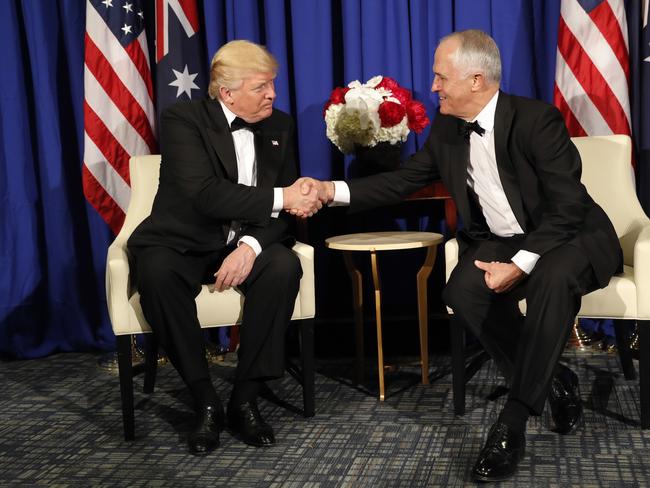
592, 73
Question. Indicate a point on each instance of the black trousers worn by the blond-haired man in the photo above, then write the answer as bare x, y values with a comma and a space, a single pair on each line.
169, 281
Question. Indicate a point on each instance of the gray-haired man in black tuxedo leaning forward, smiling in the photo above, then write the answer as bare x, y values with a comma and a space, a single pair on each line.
531, 231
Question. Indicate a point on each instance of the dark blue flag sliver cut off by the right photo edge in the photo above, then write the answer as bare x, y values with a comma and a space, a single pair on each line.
639, 34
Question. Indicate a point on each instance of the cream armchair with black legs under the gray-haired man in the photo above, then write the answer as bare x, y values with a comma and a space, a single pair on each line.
607, 174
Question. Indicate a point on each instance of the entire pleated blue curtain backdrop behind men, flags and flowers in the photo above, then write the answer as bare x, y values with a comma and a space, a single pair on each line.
53, 244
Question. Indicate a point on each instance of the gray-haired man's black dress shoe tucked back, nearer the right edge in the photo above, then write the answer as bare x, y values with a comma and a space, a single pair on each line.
564, 399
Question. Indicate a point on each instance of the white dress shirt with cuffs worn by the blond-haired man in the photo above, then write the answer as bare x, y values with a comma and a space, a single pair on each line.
244, 141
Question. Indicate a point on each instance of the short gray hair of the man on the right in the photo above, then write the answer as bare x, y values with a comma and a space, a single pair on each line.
477, 52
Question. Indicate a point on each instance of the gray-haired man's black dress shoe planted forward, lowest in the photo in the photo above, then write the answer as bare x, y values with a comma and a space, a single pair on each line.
499, 458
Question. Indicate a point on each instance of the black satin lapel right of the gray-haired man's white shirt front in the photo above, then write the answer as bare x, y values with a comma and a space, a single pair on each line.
503, 119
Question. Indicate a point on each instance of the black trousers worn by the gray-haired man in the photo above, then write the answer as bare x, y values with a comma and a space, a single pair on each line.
526, 349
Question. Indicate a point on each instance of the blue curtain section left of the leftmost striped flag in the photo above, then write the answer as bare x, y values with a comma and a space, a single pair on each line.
53, 248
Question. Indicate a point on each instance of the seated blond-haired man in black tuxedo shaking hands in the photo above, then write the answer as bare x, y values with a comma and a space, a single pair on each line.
226, 175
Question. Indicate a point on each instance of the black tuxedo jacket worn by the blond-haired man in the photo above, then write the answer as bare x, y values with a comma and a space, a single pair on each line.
198, 195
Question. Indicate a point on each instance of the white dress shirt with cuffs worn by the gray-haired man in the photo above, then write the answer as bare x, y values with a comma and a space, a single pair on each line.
483, 178
